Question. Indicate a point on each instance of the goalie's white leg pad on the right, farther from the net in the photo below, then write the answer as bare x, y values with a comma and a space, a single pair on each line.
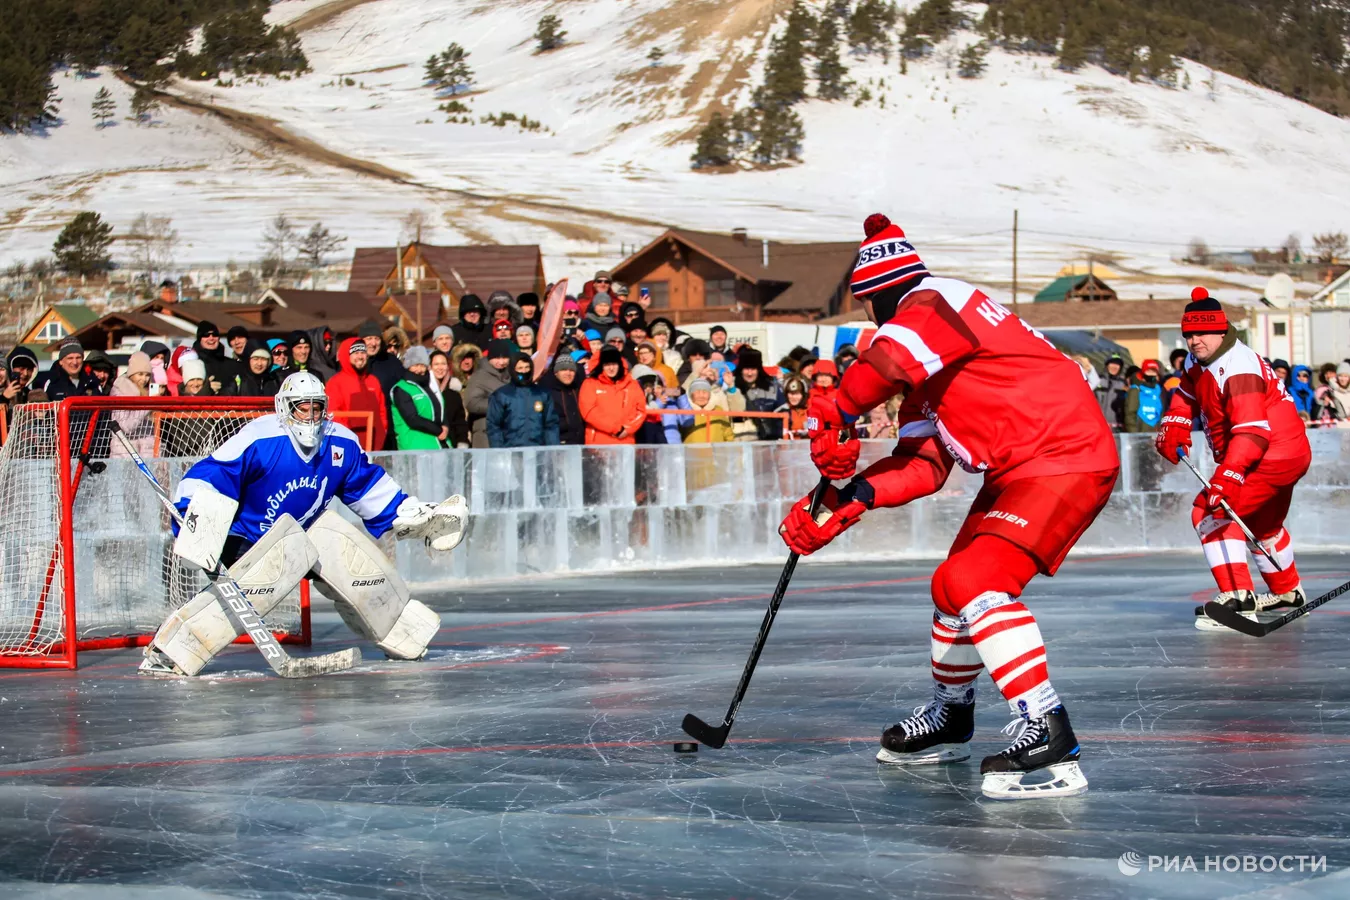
372, 598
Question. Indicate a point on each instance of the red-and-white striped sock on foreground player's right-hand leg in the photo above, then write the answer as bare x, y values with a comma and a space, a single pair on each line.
1006, 636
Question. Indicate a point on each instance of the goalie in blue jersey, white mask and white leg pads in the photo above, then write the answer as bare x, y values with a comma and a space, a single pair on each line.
260, 505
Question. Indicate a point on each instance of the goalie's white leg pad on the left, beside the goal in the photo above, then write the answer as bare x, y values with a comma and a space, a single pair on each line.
268, 573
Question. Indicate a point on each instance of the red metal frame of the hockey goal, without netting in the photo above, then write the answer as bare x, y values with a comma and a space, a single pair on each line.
72, 465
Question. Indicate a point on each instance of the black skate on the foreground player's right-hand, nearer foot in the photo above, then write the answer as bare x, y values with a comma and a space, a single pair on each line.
1047, 743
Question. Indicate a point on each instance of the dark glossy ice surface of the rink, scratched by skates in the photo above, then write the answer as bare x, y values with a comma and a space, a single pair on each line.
531, 755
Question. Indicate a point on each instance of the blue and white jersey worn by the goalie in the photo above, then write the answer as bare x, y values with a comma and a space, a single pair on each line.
264, 470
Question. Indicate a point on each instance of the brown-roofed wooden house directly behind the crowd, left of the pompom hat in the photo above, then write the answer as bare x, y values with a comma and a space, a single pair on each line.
699, 277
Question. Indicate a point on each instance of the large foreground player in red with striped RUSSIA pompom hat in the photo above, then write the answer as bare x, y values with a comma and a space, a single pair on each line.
1050, 463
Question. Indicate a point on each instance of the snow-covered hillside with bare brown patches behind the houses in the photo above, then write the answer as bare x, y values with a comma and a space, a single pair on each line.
1093, 163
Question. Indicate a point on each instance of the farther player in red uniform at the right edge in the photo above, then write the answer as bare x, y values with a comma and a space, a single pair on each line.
1260, 450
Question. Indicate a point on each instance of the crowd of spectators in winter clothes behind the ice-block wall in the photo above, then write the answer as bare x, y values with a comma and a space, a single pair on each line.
618, 377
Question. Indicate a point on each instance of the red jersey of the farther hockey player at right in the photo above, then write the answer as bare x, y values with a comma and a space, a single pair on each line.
1240, 395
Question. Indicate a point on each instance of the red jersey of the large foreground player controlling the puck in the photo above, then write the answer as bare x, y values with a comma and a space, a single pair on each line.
997, 393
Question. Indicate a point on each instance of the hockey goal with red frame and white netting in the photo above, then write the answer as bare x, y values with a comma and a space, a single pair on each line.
86, 559
